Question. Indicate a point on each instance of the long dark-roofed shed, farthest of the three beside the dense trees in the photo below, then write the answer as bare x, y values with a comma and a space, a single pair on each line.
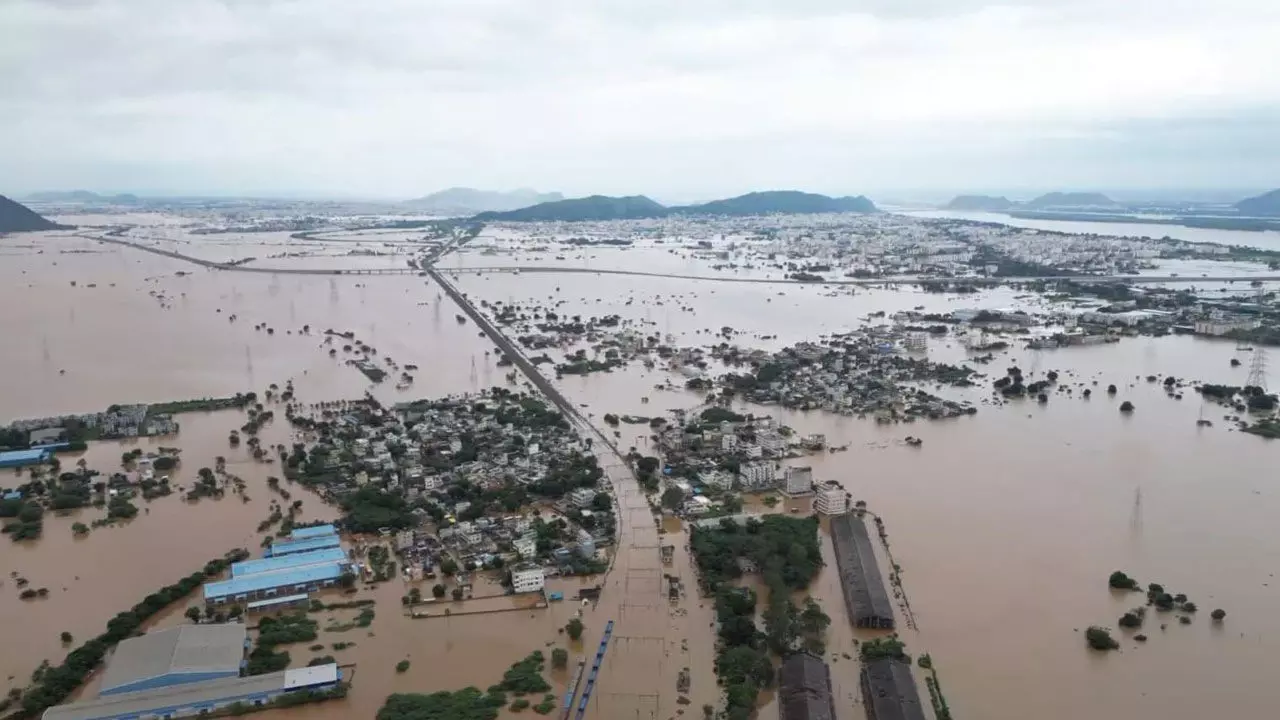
866, 599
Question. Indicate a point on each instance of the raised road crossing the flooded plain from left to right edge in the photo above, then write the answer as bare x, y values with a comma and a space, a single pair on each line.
516, 270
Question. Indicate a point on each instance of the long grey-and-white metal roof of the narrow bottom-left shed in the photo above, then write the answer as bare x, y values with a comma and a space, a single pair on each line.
184, 696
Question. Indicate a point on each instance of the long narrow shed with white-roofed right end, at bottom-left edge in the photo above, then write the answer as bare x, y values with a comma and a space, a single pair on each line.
199, 699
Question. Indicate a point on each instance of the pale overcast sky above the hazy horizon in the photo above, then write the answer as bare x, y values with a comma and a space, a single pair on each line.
679, 99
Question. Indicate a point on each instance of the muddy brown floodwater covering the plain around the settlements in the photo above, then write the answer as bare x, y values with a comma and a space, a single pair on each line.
1007, 525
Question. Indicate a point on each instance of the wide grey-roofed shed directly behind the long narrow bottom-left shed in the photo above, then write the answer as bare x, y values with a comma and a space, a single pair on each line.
189, 654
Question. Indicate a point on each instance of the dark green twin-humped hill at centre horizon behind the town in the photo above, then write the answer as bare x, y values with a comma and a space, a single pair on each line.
605, 208
